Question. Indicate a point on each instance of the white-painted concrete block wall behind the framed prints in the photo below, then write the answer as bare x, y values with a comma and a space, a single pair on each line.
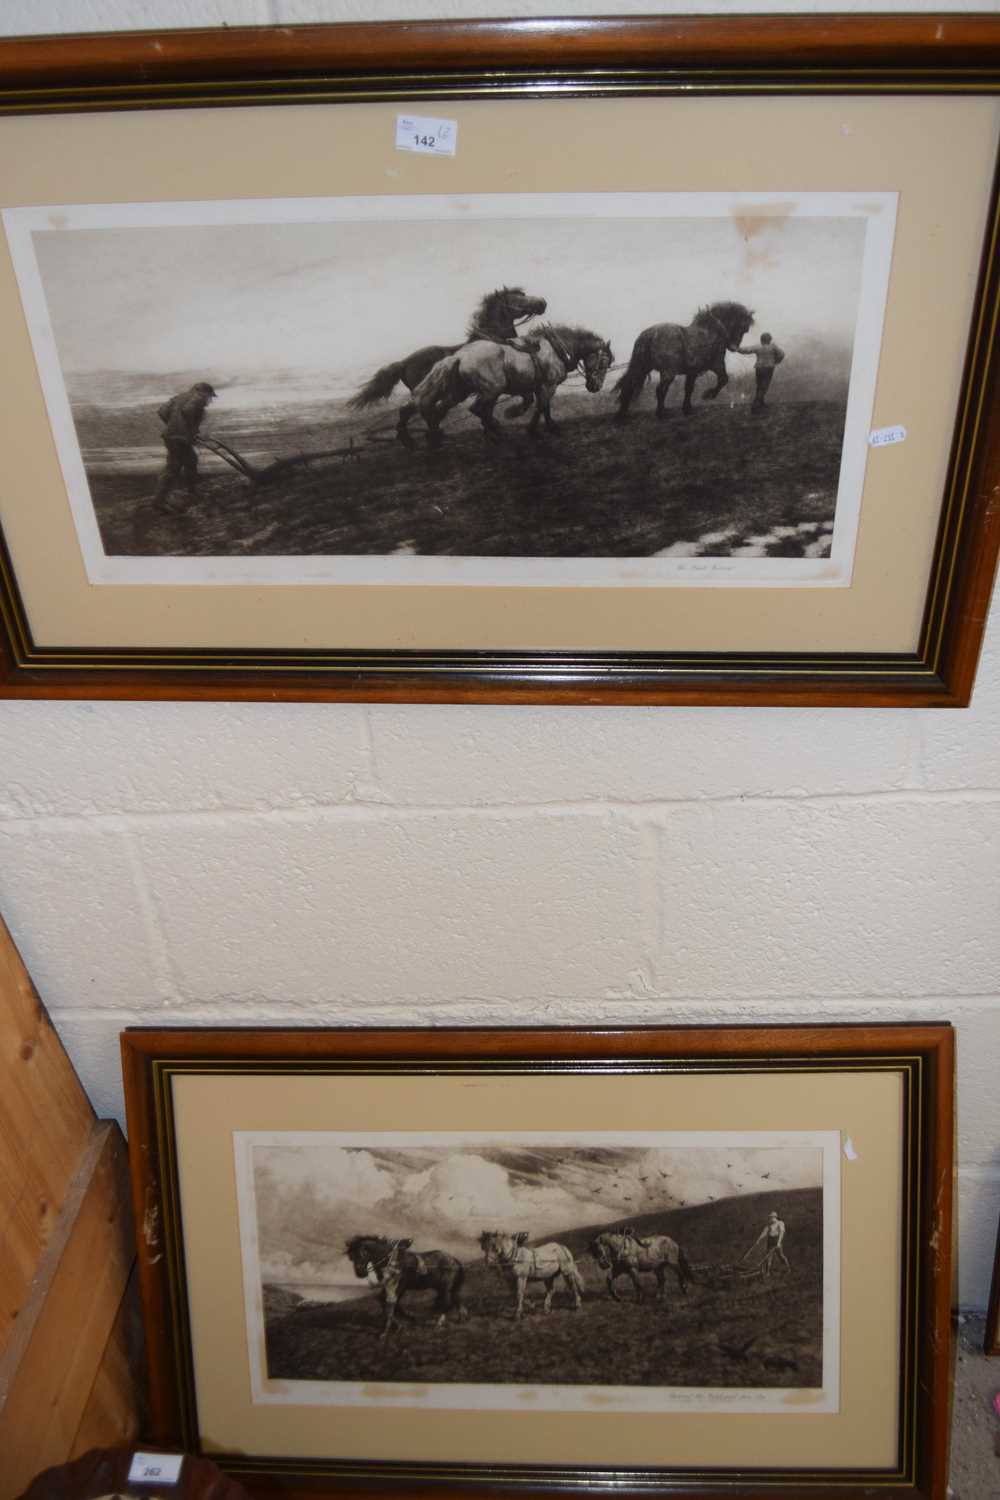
350, 865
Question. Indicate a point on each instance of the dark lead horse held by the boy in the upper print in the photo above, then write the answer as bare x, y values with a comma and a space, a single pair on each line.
675, 350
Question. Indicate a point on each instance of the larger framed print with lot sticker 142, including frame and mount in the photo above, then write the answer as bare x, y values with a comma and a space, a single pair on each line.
579, 362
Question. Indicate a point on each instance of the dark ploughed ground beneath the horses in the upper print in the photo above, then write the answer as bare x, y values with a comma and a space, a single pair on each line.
591, 490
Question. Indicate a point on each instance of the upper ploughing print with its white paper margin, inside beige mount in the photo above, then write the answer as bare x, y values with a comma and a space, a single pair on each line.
522, 389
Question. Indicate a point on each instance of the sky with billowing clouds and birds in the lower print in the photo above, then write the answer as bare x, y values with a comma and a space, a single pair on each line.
314, 1195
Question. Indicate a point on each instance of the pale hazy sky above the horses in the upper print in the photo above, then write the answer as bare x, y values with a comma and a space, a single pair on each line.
344, 298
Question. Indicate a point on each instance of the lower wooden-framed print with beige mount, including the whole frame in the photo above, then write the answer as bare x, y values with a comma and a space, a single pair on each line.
675, 1262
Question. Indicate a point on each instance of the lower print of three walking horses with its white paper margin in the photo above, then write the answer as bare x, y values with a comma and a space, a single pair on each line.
519, 1264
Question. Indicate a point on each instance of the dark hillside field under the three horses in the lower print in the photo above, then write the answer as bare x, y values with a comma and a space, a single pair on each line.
726, 1333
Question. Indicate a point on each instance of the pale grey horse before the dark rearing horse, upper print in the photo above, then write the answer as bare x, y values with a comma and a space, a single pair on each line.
490, 371
